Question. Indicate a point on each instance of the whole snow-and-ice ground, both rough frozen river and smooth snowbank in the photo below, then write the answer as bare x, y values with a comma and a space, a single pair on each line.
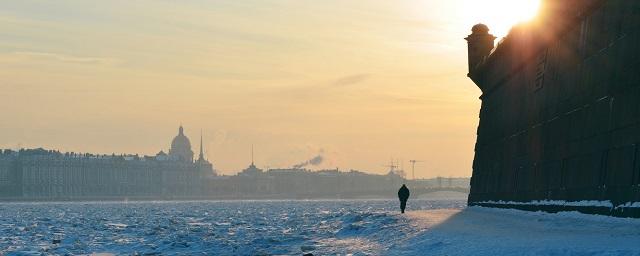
373, 227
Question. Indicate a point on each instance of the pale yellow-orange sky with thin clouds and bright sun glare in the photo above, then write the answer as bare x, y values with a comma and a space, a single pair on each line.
359, 82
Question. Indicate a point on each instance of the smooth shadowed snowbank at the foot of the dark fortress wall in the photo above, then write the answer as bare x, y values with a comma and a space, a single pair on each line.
486, 231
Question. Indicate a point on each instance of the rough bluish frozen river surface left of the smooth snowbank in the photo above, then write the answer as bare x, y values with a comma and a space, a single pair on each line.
209, 228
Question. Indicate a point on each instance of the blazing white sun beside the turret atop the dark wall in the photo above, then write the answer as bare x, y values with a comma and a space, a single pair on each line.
500, 15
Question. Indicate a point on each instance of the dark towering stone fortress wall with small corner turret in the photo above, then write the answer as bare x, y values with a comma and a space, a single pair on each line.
560, 118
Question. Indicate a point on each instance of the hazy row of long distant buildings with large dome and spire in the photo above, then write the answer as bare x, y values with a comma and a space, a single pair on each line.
44, 174
